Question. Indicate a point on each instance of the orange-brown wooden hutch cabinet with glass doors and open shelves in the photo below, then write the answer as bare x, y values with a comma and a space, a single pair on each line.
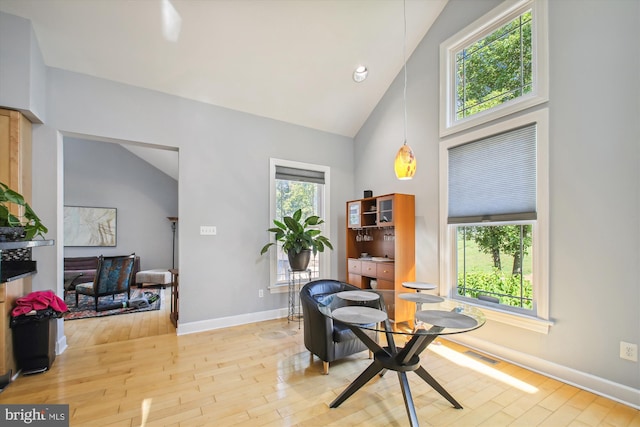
383, 227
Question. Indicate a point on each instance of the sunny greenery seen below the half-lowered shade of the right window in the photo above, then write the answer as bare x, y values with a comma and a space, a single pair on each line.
482, 268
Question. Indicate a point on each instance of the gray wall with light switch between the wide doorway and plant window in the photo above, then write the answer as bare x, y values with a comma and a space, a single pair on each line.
223, 181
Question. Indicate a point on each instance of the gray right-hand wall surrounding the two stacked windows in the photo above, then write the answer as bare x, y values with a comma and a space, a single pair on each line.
594, 179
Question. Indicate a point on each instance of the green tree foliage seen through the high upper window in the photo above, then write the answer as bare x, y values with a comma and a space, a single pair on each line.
495, 69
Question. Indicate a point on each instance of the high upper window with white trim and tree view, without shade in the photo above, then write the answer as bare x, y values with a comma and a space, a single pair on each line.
494, 67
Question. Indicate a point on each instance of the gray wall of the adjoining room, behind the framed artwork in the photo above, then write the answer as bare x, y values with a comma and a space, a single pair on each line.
104, 174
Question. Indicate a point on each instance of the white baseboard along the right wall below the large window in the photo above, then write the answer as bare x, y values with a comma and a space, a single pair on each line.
603, 387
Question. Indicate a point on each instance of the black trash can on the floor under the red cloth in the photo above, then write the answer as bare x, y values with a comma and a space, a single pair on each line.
34, 339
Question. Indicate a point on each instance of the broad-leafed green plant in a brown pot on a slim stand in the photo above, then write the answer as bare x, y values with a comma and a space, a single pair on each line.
299, 238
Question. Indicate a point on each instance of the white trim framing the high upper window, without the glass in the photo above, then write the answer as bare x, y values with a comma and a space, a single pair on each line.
482, 27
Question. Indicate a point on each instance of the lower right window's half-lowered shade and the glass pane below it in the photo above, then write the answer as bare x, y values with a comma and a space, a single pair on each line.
492, 206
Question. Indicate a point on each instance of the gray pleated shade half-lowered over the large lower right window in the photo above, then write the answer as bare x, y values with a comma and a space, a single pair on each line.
494, 179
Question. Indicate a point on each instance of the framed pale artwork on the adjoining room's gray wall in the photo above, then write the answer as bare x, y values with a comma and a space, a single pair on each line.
87, 226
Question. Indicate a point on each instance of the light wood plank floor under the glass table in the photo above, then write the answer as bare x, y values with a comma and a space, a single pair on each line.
132, 370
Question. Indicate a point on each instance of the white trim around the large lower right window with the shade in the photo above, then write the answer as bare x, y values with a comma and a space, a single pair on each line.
540, 252
